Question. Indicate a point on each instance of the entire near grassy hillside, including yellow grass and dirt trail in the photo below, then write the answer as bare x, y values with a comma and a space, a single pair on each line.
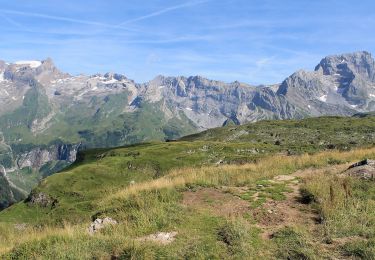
271, 189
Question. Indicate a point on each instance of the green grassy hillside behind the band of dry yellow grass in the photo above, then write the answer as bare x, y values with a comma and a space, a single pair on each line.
108, 170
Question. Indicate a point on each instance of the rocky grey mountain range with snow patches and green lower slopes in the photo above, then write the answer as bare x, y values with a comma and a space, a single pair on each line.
46, 115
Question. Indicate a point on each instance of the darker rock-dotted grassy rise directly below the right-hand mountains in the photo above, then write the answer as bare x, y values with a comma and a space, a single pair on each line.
310, 134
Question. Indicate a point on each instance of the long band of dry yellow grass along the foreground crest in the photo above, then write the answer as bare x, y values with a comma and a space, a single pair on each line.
240, 174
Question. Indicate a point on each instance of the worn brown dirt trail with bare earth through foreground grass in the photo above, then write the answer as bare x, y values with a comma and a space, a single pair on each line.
270, 215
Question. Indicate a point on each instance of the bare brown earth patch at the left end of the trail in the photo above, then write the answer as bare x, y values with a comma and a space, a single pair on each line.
215, 201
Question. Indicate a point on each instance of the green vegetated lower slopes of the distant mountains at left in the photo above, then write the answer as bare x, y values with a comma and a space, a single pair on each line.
102, 123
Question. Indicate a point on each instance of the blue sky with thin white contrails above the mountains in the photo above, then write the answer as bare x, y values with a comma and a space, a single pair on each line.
250, 41
